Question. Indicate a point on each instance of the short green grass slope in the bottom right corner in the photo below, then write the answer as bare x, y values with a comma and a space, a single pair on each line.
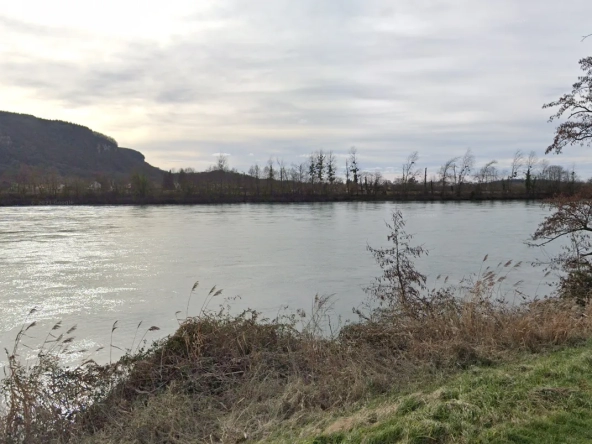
544, 398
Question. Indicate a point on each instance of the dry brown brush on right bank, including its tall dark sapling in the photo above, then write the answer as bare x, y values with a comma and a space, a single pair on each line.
457, 326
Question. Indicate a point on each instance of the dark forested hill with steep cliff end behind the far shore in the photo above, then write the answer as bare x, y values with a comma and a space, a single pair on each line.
67, 149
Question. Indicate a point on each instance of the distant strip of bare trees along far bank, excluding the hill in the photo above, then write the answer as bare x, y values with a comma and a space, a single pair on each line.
316, 179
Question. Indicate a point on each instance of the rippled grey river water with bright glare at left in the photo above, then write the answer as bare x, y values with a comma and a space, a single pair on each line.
91, 266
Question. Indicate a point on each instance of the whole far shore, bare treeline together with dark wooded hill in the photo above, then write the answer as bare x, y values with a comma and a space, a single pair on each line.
46, 162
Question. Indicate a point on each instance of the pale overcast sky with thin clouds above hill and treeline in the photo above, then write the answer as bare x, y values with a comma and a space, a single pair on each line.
182, 81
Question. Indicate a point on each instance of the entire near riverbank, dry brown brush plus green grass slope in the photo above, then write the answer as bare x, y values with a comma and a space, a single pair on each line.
492, 371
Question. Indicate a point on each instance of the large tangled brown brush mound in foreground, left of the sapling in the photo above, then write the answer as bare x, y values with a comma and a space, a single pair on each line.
241, 375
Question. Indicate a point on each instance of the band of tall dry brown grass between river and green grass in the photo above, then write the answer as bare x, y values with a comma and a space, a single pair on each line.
230, 378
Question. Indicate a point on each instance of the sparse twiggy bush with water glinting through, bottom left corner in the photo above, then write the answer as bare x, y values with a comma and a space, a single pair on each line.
40, 400
